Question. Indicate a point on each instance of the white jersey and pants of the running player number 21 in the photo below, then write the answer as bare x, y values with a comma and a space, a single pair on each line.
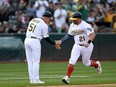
81, 34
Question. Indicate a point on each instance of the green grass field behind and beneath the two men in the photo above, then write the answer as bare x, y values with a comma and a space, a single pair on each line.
16, 75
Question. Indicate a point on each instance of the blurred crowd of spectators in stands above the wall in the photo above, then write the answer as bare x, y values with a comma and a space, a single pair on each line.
16, 14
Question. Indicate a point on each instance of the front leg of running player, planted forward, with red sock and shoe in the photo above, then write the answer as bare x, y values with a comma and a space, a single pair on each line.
75, 53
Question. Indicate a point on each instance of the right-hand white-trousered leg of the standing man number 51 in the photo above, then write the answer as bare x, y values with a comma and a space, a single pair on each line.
36, 53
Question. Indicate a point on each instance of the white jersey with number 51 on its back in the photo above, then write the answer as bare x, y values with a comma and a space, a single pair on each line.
37, 28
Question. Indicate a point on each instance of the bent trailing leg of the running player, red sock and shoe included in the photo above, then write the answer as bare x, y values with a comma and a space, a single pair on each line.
86, 55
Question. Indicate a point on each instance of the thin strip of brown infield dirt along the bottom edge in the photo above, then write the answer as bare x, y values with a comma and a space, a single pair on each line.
95, 85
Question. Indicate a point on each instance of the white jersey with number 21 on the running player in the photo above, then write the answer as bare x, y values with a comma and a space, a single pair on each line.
80, 32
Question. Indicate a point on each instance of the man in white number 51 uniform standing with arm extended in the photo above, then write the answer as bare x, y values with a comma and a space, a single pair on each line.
36, 31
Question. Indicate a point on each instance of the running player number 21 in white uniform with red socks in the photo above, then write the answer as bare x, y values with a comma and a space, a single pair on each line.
83, 36
